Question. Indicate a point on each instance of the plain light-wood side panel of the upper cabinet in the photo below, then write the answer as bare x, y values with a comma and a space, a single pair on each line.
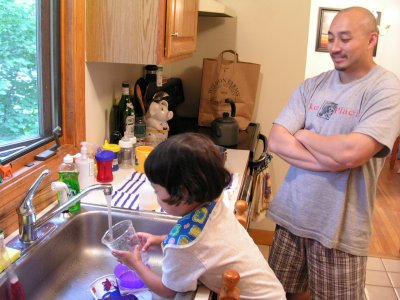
124, 31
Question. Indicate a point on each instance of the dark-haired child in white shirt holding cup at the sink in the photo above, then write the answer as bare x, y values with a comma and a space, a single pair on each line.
187, 172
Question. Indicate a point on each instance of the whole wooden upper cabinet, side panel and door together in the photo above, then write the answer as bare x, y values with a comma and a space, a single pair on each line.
140, 31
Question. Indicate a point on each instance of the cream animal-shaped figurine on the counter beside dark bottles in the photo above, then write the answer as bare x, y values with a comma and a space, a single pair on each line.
156, 122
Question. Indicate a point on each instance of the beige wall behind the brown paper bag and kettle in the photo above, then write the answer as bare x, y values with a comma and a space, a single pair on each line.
272, 33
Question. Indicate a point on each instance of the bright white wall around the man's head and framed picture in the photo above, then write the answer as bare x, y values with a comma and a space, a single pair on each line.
388, 46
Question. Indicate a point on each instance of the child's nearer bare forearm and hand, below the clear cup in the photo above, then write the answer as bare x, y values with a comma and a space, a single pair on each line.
134, 261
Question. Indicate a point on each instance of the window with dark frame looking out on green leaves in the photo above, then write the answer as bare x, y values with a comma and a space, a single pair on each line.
29, 75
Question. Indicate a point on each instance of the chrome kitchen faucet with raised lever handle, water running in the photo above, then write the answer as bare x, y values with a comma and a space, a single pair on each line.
27, 222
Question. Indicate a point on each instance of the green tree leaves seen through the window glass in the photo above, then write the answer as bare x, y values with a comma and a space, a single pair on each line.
19, 107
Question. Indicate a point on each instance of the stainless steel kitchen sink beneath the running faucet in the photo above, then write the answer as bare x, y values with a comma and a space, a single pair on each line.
70, 255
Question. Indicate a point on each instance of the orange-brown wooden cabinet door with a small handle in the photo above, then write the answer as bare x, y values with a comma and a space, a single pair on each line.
181, 27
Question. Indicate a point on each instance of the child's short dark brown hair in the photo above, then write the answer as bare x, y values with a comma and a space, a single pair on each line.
188, 162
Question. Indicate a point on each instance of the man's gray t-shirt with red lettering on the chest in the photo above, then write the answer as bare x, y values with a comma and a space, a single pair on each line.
335, 208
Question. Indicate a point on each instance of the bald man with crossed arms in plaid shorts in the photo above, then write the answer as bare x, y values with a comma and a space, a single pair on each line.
335, 133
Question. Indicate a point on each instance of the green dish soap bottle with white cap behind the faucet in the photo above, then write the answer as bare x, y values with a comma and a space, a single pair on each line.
68, 173
